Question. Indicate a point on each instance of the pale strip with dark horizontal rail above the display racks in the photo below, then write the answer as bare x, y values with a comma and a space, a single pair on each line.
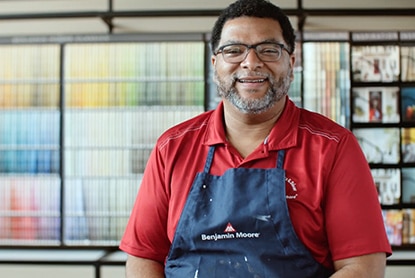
49, 17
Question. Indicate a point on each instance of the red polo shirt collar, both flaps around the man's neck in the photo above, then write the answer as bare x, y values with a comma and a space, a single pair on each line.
282, 136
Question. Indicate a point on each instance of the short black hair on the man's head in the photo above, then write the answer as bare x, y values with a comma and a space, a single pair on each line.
253, 8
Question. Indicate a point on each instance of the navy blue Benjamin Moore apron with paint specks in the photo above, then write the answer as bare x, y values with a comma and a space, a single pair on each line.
238, 225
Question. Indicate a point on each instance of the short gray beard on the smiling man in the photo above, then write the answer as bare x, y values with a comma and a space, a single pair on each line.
277, 90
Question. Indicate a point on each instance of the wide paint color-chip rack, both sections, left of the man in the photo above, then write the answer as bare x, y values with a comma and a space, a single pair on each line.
79, 117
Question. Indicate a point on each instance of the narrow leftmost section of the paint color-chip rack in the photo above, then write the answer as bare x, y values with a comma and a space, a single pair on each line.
29, 156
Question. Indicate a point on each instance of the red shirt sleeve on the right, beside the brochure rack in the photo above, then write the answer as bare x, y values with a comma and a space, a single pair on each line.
354, 221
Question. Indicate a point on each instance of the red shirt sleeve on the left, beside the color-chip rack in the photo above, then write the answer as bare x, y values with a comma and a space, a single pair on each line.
146, 232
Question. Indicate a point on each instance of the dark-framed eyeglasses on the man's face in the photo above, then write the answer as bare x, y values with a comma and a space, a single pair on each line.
236, 53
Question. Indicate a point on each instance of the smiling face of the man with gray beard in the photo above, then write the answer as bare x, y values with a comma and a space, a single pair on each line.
253, 86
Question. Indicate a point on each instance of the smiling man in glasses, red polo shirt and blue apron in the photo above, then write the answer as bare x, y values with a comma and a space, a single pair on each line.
258, 187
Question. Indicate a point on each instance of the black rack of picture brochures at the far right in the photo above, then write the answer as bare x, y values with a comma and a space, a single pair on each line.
382, 97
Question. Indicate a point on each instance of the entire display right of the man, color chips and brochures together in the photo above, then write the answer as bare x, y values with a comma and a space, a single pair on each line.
387, 136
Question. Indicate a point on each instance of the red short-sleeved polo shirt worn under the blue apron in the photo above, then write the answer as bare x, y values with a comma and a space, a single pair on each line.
331, 196
